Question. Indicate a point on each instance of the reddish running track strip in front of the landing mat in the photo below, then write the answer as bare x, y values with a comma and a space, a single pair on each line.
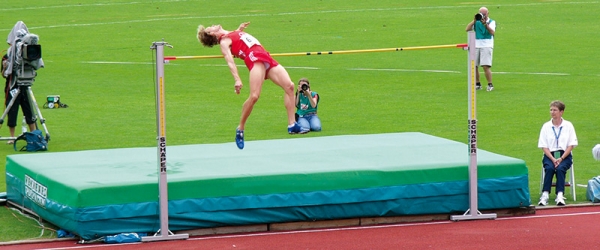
555, 228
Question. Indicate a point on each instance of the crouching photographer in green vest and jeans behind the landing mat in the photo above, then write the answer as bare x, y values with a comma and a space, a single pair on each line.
307, 102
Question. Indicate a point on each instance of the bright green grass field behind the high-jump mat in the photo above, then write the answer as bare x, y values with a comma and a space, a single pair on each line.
98, 59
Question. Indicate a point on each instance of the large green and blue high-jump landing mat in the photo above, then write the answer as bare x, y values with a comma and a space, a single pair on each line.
283, 173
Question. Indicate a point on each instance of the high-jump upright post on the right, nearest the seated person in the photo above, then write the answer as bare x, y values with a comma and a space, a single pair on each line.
473, 212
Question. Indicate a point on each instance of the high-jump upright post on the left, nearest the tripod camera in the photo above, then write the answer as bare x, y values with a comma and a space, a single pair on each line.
163, 233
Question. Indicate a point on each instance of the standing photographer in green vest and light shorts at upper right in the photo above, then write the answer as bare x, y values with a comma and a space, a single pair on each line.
484, 28
